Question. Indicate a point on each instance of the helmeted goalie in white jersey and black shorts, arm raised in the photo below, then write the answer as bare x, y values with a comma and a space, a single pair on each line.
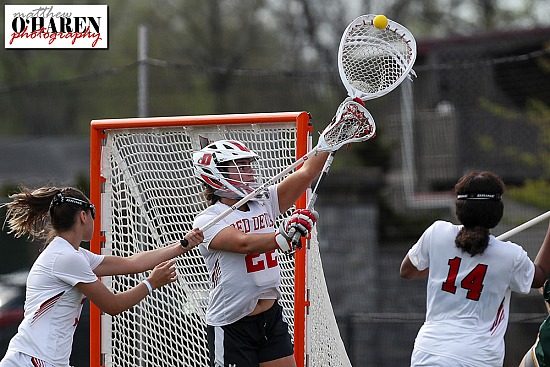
245, 324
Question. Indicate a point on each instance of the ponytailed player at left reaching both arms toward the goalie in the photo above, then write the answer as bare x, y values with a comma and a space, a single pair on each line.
65, 274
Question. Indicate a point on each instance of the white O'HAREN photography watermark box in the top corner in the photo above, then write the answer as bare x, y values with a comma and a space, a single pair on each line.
56, 26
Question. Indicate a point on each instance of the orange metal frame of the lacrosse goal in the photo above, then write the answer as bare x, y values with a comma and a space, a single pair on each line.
303, 138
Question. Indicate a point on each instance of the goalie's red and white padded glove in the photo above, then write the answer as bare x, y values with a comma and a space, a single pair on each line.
301, 221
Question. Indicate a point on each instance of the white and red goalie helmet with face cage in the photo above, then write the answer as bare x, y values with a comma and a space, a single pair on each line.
229, 167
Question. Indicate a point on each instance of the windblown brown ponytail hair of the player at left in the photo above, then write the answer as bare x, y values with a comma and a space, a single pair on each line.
32, 213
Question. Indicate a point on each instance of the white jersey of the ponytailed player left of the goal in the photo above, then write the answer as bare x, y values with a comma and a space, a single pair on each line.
53, 304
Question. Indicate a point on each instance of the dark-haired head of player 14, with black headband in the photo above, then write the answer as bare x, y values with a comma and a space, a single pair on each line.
479, 208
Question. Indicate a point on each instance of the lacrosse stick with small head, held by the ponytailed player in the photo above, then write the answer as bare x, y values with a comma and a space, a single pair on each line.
352, 123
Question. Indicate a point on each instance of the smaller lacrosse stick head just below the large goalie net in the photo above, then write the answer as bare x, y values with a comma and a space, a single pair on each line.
352, 123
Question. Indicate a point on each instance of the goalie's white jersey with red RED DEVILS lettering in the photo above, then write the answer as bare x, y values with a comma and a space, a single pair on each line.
237, 281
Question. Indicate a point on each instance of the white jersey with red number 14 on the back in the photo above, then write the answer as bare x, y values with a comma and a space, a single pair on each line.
468, 297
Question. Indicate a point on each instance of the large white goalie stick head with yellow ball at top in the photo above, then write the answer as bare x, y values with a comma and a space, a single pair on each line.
372, 62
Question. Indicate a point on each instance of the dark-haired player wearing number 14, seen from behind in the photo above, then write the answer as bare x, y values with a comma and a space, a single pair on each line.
471, 275
